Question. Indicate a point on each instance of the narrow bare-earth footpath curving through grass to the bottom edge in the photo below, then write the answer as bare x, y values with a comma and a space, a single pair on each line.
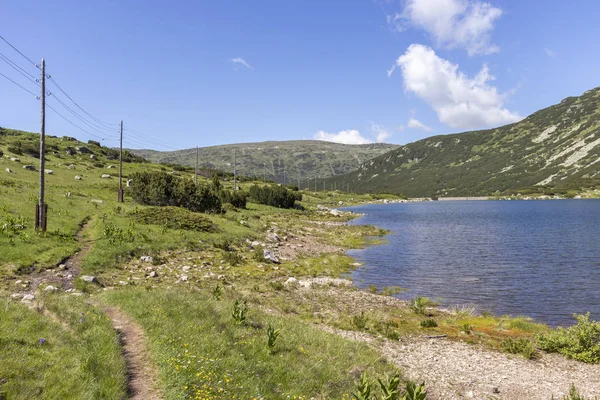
142, 376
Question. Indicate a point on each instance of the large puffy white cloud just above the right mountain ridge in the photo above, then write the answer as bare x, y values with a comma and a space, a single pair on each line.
459, 101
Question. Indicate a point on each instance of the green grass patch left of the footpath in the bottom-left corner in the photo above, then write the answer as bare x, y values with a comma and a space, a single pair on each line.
79, 360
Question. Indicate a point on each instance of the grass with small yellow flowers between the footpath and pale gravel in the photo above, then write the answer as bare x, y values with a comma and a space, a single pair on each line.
202, 353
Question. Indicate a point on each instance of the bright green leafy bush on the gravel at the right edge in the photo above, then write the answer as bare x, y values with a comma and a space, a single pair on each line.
580, 342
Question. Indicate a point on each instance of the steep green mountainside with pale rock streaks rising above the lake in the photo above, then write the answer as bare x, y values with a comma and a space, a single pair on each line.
557, 148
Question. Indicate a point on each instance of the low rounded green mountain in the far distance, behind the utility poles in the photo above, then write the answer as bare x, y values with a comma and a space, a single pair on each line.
301, 159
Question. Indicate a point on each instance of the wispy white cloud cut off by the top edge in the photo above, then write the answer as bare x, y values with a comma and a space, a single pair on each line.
451, 23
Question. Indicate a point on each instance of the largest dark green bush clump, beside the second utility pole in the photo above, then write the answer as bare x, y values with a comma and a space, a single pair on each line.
161, 189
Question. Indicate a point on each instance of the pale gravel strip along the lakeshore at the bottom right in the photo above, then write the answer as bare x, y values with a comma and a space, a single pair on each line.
456, 370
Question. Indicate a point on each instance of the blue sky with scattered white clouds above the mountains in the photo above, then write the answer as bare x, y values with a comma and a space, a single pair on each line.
189, 73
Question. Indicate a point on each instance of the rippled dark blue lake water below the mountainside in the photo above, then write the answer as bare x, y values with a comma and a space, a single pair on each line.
535, 258
